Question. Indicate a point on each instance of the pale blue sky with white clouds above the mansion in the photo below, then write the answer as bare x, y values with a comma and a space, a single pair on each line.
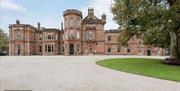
50, 12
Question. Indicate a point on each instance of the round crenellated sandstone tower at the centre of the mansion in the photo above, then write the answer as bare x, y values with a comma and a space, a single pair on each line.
72, 32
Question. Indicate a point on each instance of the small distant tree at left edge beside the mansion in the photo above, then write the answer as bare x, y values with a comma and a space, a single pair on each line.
3, 40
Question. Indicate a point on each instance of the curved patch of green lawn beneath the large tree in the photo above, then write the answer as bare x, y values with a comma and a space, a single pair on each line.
145, 67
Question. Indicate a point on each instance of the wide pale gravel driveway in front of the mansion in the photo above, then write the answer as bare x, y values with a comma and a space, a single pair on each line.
73, 73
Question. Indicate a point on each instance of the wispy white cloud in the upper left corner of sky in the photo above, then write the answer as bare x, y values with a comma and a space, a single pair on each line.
9, 5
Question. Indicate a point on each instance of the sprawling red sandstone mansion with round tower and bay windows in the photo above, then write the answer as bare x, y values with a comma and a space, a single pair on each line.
77, 36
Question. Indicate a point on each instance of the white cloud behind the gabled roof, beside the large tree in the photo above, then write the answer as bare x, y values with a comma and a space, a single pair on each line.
100, 7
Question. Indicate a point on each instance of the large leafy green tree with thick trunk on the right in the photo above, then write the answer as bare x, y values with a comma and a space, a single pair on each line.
156, 21
